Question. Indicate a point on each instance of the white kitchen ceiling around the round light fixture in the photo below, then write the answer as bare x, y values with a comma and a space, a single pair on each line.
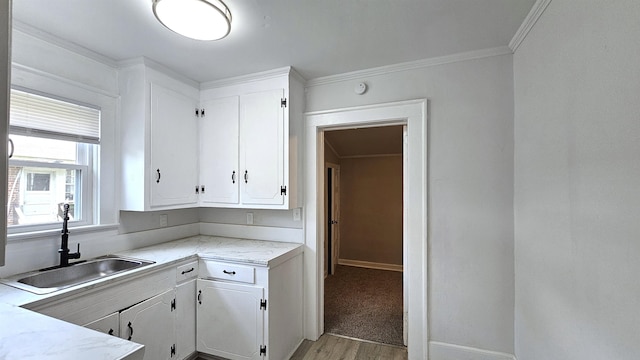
317, 37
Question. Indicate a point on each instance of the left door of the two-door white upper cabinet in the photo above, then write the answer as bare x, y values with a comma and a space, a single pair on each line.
219, 151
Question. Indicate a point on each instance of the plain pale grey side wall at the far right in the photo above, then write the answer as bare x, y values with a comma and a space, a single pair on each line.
577, 183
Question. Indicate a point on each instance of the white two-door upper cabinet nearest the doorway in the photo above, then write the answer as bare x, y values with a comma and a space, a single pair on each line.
249, 140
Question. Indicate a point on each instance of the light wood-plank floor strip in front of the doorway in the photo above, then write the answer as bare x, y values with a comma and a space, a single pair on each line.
331, 347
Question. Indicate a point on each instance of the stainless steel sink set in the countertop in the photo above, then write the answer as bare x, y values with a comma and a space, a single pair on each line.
50, 280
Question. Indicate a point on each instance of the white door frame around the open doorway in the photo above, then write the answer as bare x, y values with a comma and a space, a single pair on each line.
413, 114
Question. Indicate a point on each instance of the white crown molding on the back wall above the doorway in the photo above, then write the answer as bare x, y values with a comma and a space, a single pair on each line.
411, 65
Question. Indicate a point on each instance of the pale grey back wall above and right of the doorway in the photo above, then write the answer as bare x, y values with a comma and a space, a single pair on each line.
470, 187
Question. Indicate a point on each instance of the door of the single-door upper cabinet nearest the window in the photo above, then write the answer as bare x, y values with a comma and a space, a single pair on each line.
174, 148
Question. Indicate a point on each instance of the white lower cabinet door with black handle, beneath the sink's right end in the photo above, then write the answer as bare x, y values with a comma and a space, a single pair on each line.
152, 324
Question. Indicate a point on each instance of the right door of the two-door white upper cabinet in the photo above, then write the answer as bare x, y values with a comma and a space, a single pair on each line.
262, 147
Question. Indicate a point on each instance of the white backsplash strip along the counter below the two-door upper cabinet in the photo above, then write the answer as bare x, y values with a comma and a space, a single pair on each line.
253, 232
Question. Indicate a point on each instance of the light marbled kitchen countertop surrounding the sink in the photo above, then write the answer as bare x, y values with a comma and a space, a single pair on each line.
28, 335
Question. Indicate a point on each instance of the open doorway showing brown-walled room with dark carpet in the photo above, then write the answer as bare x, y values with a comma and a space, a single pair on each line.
364, 233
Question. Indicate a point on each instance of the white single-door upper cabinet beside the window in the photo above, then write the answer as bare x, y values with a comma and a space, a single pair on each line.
159, 140
